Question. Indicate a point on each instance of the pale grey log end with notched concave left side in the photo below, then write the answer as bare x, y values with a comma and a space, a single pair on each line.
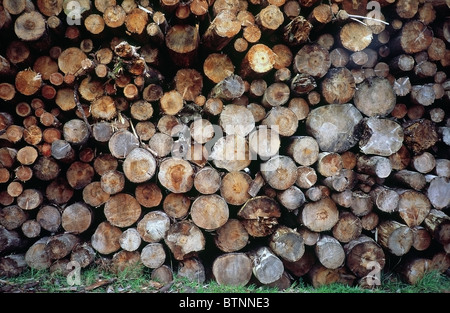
380, 136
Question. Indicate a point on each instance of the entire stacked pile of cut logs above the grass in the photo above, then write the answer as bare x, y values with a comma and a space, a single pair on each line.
241, 141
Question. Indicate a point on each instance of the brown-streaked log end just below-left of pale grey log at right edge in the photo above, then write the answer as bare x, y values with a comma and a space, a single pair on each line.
413, 207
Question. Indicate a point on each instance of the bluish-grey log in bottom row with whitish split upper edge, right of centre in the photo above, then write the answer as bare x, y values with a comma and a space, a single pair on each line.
267, 267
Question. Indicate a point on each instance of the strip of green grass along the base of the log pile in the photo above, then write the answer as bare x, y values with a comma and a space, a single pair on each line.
138, 280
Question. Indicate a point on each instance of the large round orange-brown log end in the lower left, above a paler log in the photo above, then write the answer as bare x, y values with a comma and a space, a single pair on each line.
121, 215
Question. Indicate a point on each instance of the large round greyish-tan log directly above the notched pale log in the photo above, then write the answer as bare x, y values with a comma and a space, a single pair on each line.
375, 97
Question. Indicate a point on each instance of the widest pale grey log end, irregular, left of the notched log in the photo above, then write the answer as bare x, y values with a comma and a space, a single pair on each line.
334, 126
